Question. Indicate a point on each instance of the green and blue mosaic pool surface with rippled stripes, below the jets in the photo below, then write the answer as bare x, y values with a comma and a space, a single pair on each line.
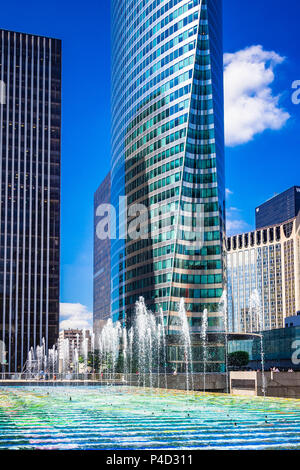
132, 418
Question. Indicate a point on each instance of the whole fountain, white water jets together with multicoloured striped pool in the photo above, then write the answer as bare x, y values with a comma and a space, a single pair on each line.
139, 412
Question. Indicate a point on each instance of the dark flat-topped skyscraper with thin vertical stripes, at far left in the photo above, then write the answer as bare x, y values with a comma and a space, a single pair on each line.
30, 122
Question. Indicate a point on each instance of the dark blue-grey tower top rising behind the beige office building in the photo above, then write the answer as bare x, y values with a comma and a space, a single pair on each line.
278, 209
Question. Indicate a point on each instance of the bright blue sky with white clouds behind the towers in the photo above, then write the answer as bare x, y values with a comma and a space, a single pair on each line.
267, 161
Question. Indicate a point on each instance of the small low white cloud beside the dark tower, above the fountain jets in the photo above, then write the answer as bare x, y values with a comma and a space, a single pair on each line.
75, 316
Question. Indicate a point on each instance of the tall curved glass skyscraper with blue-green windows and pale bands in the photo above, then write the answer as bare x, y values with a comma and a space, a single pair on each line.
168, 154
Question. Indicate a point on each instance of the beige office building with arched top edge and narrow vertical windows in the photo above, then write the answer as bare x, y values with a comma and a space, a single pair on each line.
268, 261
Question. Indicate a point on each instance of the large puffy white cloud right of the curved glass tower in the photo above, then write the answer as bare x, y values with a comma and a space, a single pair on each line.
250, 106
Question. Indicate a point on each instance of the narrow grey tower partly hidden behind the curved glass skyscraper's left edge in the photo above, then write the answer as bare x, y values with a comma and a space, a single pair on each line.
101, 260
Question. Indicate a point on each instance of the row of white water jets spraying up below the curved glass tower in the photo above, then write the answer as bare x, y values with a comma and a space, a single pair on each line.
134, 356
